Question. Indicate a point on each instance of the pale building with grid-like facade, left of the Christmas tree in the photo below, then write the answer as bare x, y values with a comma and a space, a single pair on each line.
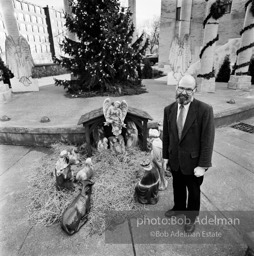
42, 27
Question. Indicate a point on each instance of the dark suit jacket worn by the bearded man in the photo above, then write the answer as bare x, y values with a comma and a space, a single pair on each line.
196, 144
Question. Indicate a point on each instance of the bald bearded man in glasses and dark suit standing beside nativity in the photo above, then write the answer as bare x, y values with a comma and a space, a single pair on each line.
188, 138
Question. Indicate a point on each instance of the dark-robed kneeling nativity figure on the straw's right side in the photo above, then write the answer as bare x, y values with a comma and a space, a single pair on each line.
146, 190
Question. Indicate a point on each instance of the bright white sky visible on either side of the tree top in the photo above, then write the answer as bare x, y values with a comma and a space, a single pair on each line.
146, 10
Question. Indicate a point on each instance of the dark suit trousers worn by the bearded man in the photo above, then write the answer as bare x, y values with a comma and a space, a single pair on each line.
183, 202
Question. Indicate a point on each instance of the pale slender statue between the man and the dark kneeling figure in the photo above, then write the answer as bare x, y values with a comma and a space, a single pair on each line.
156, 154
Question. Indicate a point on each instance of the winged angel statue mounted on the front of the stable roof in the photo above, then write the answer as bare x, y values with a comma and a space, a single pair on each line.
115, 113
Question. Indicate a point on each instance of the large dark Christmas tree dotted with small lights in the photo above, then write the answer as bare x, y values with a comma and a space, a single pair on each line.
104, 57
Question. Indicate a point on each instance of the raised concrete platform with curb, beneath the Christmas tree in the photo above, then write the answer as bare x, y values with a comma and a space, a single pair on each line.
26, 110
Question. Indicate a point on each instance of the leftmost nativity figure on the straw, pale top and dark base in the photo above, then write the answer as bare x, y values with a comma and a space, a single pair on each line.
63, 173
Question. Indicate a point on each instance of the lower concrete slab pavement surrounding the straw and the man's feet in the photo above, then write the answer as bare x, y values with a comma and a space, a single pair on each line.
227, 190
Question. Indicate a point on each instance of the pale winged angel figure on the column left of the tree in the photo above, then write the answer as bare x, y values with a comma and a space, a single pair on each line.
19, 59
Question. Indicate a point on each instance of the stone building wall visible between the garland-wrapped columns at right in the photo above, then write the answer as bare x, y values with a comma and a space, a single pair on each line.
229, 27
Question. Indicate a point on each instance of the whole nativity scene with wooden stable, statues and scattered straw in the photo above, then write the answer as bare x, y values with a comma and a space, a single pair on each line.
123, 170
